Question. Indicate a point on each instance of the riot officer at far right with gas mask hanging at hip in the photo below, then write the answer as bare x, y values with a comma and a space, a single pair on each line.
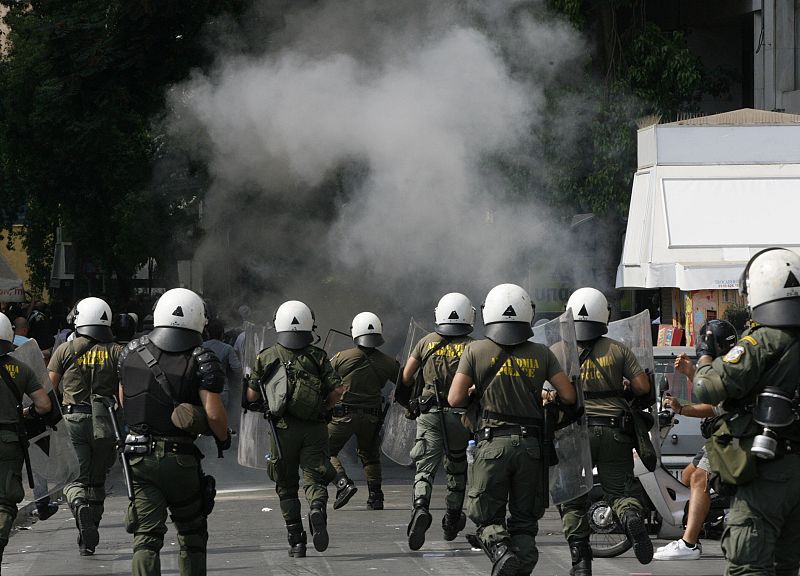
758, 382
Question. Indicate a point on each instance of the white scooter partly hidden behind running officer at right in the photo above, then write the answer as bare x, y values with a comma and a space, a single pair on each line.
667, 502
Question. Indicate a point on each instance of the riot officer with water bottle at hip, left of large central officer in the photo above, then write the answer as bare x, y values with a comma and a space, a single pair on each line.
437, 355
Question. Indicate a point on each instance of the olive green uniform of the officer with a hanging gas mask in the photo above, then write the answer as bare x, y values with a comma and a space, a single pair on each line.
763, 531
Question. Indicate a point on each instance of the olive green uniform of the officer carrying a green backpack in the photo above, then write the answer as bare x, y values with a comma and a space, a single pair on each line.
304, 441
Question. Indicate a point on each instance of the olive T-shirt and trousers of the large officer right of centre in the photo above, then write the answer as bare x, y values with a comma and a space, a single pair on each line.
508, 469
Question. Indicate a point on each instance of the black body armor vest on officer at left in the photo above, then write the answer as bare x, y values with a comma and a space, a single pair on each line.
147, 408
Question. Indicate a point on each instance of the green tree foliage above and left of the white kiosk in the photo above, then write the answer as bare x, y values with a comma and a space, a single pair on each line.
638, 70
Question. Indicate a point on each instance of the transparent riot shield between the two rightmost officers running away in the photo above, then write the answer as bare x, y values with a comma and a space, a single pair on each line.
572, 476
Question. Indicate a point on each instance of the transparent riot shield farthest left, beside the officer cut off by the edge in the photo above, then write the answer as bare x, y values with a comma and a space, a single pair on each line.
53, 459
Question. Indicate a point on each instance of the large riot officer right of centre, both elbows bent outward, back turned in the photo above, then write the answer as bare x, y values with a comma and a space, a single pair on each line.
508, 372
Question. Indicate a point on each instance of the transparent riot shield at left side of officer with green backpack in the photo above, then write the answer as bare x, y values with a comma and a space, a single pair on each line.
256, 446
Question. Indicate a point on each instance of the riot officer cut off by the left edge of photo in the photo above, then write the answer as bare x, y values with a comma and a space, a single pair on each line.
13, 373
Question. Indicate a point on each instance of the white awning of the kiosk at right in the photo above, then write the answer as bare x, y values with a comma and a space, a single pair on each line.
695, 227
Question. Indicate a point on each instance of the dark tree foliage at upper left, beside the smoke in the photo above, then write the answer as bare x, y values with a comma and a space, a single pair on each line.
81, 90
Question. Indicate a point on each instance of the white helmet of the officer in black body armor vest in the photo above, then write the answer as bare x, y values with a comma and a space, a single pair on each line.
178, 320
